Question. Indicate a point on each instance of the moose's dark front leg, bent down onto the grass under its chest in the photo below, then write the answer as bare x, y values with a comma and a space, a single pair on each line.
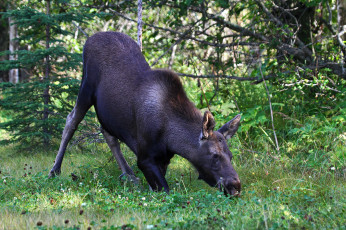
153, 173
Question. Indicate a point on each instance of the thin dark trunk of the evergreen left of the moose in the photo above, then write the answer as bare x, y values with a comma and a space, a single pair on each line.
46, 95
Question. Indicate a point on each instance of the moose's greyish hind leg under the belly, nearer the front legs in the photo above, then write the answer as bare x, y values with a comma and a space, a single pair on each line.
114, 145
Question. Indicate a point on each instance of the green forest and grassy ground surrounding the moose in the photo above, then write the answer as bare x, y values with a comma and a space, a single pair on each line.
280, 64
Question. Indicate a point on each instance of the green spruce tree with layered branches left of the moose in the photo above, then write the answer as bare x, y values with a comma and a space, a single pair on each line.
38, 107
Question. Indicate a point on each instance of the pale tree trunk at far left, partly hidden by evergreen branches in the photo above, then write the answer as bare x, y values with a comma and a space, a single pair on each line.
13, 47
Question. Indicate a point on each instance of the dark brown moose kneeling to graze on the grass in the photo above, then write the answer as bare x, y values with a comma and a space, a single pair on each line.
149, 111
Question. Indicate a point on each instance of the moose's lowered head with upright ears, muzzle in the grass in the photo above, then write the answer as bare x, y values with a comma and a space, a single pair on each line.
214, 157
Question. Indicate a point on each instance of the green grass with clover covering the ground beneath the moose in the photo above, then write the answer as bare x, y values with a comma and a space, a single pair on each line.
277, 194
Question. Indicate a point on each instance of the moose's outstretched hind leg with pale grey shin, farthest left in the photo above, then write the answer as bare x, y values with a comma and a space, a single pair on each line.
72, 122
